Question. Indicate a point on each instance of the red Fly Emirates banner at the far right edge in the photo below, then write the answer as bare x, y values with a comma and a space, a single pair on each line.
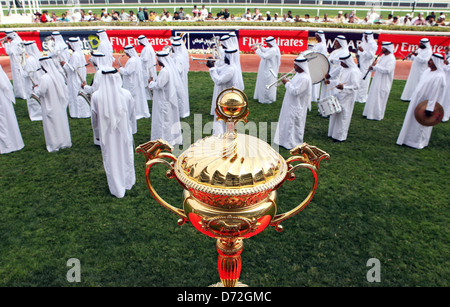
404, 43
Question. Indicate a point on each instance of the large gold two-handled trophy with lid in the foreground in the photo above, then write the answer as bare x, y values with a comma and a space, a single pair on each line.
230, 183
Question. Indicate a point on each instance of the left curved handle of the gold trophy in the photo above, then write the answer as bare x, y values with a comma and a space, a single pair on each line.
152, 152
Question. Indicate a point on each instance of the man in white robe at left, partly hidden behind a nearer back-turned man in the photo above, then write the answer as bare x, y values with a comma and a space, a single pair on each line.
32, 73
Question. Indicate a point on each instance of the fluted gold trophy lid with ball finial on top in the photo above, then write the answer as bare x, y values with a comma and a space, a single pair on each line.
231, 163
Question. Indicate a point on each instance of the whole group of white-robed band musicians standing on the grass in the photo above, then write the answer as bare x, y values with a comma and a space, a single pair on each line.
117, 98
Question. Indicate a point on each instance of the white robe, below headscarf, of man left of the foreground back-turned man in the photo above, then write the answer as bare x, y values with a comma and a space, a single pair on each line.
54, 115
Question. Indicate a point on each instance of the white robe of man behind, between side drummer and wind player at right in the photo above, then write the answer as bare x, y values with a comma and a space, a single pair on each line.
366, 58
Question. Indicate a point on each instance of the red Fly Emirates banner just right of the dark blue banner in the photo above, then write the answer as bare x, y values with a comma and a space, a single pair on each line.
289, 41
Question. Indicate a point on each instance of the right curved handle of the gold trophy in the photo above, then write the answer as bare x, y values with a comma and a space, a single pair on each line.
310, 159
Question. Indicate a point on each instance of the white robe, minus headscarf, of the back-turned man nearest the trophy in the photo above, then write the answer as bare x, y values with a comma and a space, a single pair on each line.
116, 145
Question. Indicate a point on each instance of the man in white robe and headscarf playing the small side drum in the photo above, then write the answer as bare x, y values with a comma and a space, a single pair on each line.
347, 85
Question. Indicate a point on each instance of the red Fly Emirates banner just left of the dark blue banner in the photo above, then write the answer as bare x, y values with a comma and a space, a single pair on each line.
121, 38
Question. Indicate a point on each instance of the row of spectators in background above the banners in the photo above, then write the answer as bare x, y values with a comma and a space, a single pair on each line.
145, 15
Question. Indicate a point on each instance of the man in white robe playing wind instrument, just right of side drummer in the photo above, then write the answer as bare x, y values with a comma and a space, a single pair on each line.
381, 83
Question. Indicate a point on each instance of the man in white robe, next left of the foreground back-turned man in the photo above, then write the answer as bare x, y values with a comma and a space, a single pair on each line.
53, 96
